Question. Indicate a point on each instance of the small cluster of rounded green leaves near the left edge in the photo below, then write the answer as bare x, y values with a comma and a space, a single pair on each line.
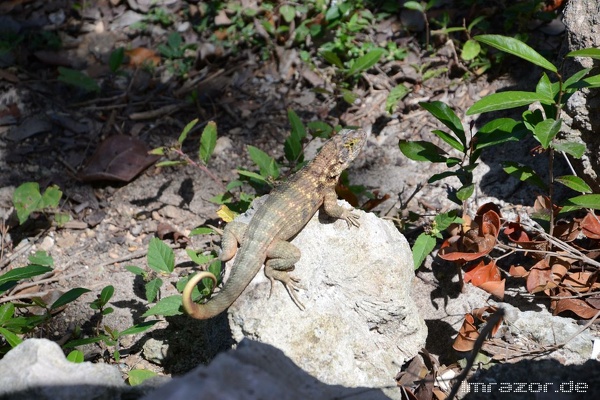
28, 199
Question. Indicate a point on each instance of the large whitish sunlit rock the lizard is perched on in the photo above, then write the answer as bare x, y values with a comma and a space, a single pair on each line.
360, 323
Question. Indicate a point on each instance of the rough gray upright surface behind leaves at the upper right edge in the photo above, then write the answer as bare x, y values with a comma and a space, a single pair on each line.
582, 18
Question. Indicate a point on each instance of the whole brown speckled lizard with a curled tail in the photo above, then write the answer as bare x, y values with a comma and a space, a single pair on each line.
288, 208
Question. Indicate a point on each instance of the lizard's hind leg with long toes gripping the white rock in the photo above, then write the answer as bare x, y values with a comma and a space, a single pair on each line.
281, 257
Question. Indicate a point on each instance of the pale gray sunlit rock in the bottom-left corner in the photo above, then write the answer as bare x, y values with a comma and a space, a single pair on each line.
37, 369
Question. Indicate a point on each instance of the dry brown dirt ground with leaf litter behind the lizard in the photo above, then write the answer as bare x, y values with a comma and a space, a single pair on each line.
49, 131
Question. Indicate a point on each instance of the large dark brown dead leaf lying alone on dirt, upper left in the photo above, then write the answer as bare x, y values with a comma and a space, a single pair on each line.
118, 158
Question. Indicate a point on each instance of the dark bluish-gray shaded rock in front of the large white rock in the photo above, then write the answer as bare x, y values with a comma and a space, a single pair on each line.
255, 371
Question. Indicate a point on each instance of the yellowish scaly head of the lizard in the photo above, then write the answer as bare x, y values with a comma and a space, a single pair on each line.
345, 146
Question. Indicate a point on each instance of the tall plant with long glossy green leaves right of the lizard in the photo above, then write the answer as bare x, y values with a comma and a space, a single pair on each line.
544, 124
